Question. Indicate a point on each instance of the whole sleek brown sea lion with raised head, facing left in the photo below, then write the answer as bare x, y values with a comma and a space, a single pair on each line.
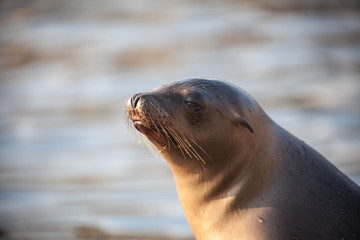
238, 174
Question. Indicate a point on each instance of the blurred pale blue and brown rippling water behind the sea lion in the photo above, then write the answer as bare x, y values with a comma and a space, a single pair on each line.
69, 167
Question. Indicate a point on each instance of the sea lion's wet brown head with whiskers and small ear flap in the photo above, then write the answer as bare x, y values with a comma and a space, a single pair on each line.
195, 121
